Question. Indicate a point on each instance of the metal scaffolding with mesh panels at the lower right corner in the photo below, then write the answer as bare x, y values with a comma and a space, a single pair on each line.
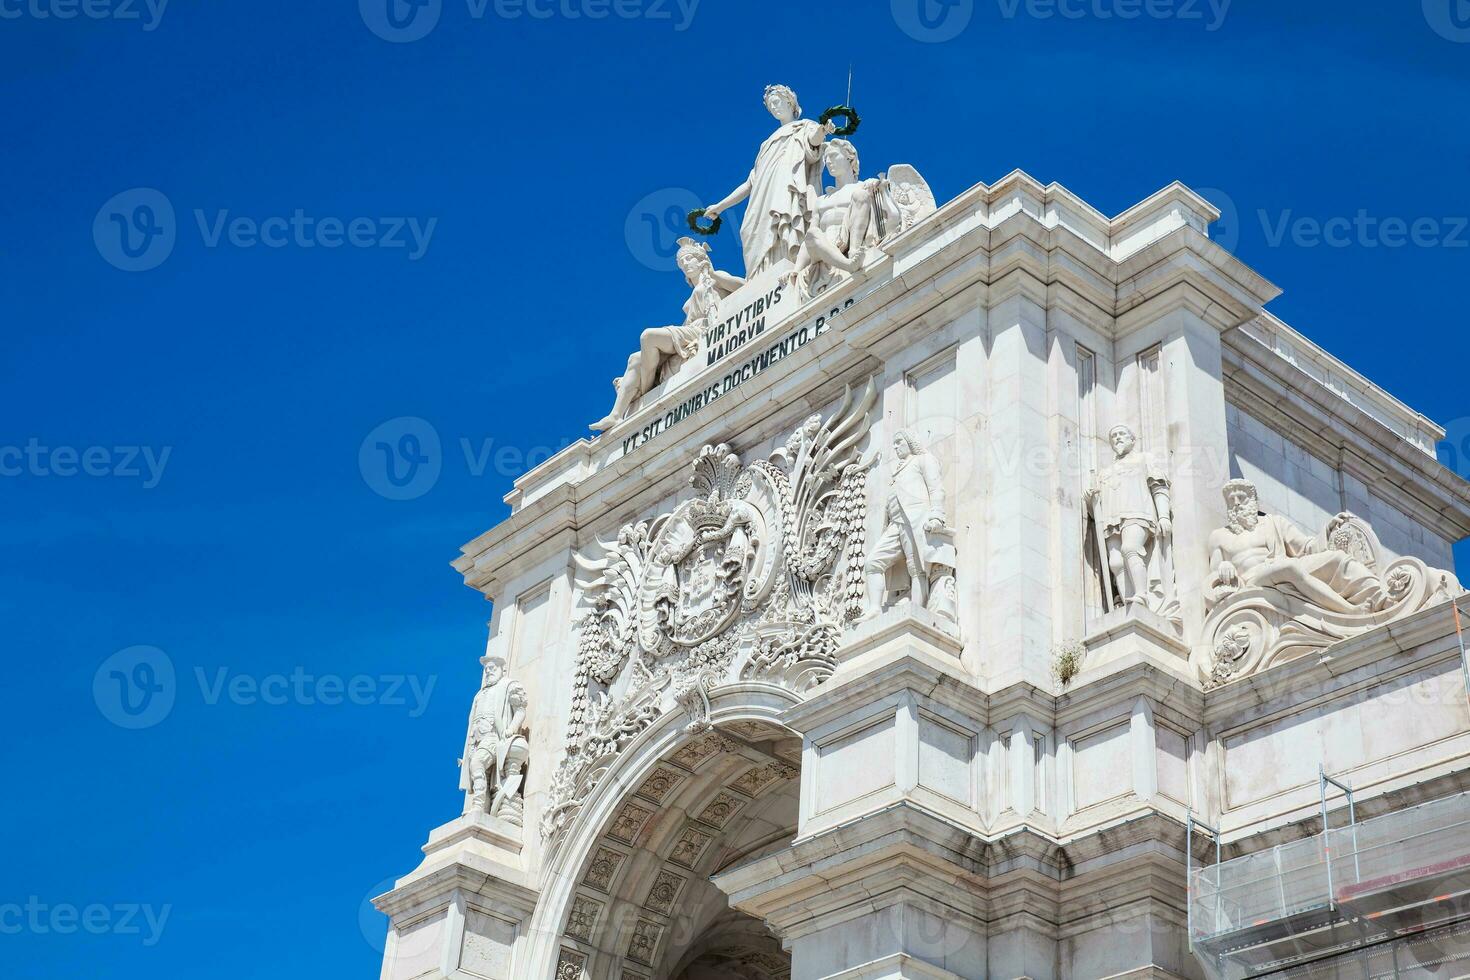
1372, 898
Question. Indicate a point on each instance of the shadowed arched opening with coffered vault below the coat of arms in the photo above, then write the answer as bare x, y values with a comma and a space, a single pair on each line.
642, 904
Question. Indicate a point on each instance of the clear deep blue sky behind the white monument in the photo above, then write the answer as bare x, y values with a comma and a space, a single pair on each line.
189, 444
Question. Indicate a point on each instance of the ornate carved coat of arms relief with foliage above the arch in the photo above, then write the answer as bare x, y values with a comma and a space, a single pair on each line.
755, 578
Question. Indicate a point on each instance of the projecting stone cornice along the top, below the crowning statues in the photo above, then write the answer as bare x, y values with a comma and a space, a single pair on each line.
1019, 251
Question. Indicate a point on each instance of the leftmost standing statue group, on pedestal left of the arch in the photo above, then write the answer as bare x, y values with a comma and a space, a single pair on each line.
498, 749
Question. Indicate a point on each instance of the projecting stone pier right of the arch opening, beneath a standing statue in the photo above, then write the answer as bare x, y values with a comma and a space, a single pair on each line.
883, 881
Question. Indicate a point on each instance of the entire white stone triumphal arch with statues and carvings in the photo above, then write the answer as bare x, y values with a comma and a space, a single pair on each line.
940, 590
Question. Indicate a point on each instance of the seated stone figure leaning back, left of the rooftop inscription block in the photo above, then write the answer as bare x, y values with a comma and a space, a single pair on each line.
664, 349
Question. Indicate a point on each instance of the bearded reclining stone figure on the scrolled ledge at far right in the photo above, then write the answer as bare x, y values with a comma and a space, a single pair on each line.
1258, 550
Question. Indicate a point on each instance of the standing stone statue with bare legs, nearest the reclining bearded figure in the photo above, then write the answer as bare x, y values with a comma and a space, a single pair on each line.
1133, 530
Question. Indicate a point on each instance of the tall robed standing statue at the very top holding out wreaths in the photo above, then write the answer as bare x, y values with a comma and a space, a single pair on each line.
787, 173
